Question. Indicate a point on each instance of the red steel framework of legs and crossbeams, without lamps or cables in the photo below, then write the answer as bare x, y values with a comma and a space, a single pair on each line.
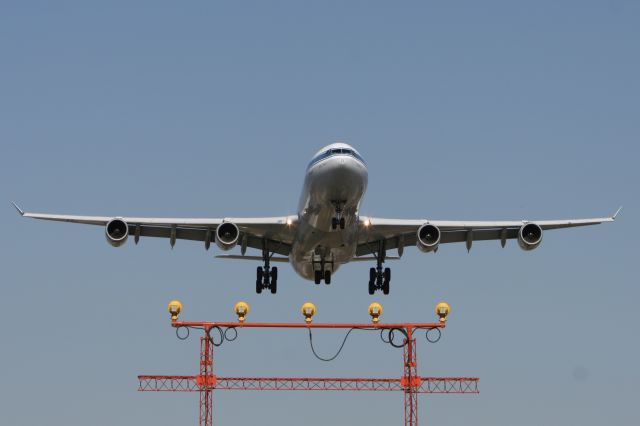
410, 383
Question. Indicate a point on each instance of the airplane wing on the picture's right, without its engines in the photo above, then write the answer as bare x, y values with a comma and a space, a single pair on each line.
400, 233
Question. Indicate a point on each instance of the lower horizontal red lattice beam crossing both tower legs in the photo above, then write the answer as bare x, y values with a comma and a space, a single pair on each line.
433, 385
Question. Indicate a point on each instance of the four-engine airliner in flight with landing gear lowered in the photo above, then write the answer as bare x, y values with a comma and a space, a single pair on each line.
327, 231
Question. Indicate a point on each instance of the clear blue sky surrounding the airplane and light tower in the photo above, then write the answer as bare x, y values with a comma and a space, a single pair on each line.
463, 110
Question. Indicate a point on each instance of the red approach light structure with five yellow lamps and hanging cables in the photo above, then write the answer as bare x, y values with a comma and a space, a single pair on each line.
399, 335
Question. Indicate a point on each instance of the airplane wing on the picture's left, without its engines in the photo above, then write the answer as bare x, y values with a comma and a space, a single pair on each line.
277, 232
